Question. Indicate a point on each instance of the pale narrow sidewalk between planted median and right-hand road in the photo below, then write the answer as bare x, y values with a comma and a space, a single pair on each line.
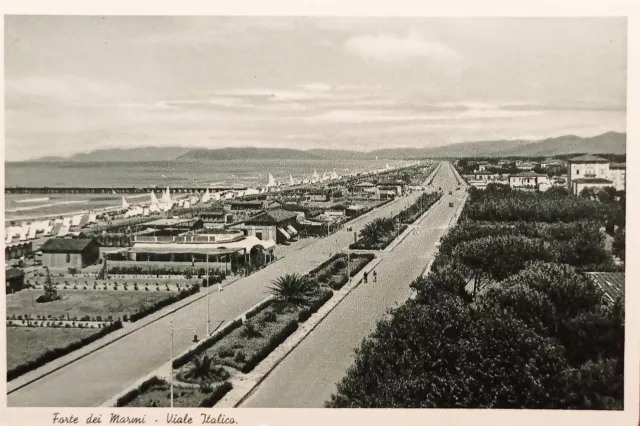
244, 384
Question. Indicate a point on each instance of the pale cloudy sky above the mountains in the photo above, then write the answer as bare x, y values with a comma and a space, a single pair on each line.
76, 84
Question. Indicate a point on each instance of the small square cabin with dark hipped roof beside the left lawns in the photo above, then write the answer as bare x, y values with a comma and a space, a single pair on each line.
70, 252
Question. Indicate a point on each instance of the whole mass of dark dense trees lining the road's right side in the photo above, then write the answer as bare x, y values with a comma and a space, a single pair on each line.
507, 318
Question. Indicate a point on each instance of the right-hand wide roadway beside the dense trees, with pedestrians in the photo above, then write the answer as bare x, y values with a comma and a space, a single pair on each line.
307, 377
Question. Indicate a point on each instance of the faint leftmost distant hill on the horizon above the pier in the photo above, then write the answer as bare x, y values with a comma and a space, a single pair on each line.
149, 153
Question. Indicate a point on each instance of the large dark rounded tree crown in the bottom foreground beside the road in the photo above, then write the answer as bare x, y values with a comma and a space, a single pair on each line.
440, 356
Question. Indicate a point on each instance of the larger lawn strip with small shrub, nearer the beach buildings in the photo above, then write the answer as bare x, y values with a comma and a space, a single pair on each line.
78, 303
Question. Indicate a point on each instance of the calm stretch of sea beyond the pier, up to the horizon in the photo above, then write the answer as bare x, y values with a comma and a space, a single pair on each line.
128, 174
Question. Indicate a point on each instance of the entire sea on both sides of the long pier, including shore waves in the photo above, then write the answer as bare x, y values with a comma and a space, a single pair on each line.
252, 173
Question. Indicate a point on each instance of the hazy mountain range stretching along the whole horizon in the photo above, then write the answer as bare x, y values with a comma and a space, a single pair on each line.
607, 143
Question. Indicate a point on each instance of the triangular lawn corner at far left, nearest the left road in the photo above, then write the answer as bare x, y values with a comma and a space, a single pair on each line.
27, 343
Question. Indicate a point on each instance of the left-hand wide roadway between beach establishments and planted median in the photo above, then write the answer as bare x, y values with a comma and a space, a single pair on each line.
92, 380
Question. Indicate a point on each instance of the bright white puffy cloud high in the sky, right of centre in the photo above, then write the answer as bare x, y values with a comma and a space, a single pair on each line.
387, 47
